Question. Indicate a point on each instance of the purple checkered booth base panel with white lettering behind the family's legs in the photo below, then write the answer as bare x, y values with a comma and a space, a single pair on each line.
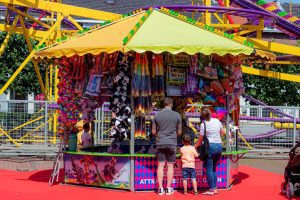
145, 174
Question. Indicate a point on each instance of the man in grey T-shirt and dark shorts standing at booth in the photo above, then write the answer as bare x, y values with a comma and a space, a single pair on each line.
166, 127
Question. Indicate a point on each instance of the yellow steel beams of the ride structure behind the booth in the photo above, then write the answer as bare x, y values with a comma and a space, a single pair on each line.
53, 29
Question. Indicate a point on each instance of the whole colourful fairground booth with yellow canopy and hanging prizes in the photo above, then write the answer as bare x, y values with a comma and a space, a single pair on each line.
115, 76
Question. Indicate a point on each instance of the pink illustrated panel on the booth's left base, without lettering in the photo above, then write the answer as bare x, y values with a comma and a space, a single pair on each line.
99, 171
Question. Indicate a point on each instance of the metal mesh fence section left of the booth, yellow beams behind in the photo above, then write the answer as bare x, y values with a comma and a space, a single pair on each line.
27, 126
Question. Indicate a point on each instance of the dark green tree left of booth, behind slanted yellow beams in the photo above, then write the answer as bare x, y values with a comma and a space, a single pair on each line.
14, 54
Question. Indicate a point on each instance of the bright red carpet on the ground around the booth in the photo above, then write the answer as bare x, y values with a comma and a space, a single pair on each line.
254, 184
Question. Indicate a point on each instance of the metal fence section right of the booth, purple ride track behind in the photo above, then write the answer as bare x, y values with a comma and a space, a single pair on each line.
269, 128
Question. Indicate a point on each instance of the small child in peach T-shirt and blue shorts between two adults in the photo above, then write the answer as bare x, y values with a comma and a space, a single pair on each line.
188, 155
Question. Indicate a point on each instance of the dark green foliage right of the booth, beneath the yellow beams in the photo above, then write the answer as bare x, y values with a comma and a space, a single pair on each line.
273, 91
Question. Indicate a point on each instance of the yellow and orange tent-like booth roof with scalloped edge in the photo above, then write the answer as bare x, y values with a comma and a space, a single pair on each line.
158, 32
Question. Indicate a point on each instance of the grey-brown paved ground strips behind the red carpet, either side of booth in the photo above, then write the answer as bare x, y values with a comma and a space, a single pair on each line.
41, 163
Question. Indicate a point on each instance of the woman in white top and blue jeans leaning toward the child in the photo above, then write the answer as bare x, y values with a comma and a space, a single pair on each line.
214, 130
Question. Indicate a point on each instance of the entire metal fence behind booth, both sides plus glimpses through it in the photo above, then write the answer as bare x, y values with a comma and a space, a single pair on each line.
31, 126
